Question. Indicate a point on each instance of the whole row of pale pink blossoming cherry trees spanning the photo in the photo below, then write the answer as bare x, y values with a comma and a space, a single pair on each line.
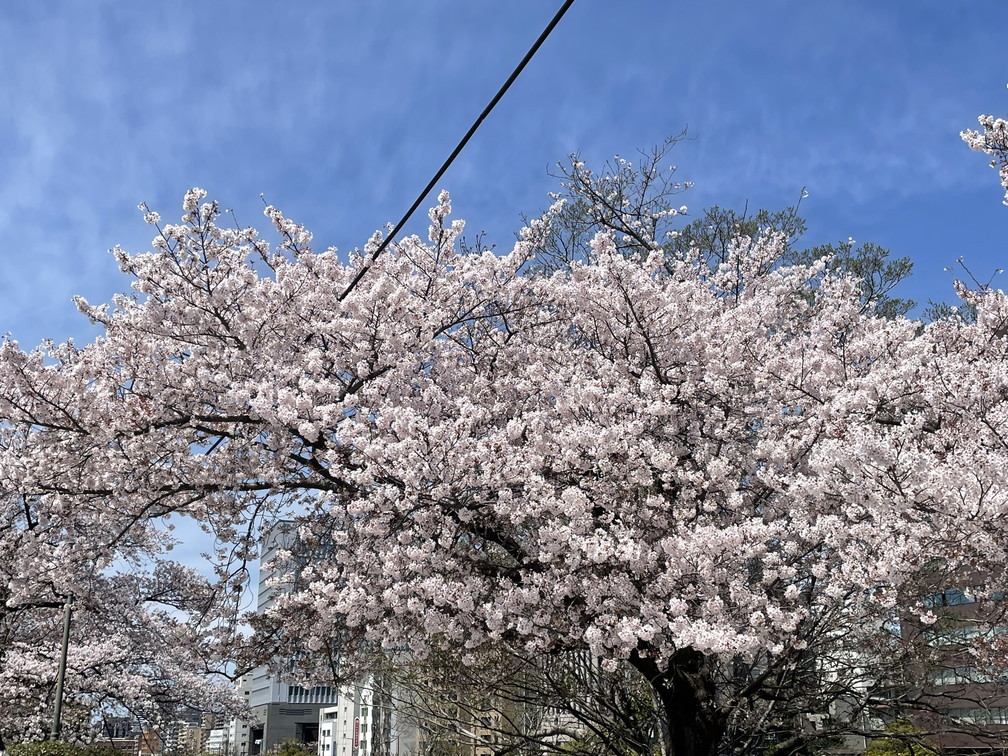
725, 469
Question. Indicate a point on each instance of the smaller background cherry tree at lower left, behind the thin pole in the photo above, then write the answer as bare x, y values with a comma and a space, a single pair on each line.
142, 639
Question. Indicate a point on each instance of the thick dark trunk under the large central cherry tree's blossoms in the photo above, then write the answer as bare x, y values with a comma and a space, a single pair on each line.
692, 723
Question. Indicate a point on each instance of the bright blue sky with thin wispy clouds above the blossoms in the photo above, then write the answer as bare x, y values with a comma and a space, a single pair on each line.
339, 113
